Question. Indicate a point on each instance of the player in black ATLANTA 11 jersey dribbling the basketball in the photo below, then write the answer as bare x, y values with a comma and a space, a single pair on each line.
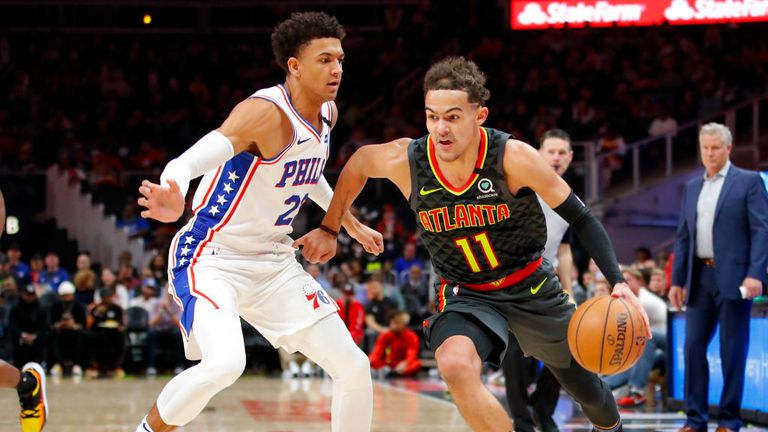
473, 190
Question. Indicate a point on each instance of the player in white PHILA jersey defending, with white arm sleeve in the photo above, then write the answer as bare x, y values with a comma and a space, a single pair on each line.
234, 257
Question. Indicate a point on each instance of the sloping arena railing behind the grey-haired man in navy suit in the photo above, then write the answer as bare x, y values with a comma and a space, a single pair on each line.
658, 158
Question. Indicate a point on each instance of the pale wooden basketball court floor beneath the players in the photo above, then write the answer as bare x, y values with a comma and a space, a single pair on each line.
256, 403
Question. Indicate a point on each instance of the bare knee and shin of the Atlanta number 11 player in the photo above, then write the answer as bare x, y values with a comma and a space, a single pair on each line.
461, 367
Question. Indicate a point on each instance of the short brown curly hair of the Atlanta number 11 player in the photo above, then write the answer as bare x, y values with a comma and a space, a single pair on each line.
458, 73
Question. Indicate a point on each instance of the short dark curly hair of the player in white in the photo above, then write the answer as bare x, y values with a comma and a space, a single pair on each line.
291, 35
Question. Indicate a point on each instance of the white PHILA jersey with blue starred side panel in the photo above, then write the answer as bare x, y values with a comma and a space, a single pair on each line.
248, 204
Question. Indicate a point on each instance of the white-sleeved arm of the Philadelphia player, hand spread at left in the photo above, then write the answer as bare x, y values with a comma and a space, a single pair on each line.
248, 122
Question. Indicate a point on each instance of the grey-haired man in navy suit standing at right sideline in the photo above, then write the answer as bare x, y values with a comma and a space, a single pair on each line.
721, 253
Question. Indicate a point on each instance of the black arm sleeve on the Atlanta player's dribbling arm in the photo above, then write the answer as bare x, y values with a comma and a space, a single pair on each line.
592, 235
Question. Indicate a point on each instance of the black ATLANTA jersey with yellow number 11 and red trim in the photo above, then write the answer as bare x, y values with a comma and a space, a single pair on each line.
479, 232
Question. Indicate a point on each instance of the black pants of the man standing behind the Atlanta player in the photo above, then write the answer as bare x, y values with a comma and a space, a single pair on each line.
519, 372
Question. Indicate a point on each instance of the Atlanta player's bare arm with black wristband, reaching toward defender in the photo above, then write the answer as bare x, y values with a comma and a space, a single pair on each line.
378, 161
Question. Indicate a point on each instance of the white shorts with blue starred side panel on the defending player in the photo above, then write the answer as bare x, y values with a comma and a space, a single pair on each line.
271, 292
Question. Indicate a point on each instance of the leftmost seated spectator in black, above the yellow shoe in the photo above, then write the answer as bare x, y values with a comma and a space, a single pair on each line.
26, 327
